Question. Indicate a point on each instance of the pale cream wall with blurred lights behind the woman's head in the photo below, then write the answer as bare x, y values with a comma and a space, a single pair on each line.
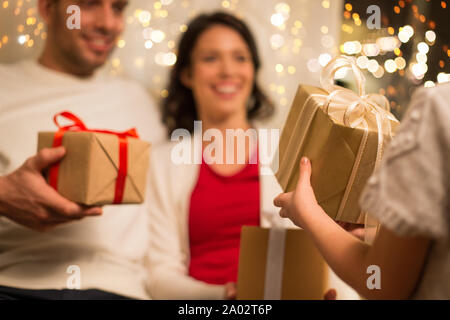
289, 33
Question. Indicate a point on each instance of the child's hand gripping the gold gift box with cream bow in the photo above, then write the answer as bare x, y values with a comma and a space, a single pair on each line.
295, 205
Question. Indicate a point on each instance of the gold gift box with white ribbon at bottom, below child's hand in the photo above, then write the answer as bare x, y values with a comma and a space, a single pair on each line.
304, 273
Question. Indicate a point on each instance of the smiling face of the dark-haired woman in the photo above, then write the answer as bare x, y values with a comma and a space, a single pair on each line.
221, 75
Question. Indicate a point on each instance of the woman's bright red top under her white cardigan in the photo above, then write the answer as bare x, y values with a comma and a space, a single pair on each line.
219, 207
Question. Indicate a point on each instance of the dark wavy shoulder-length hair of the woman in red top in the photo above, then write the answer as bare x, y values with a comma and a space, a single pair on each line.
178, 108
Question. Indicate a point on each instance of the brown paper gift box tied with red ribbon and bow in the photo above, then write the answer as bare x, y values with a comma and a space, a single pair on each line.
100, 166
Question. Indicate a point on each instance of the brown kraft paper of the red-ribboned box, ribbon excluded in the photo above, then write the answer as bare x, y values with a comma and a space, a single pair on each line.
88, 171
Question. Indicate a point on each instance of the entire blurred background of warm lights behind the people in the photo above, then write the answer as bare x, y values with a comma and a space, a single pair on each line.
295, 38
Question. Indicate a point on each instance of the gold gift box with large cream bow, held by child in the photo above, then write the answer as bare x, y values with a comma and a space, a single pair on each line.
343, 133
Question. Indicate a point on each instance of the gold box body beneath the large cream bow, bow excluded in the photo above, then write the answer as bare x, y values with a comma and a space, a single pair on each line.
339, 153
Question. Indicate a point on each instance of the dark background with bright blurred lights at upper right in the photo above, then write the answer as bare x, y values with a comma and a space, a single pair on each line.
399, 56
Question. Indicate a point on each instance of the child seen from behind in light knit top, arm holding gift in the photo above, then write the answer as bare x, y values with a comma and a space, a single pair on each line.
409, 196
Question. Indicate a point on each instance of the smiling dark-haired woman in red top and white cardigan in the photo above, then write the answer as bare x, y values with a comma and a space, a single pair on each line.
199, 209
